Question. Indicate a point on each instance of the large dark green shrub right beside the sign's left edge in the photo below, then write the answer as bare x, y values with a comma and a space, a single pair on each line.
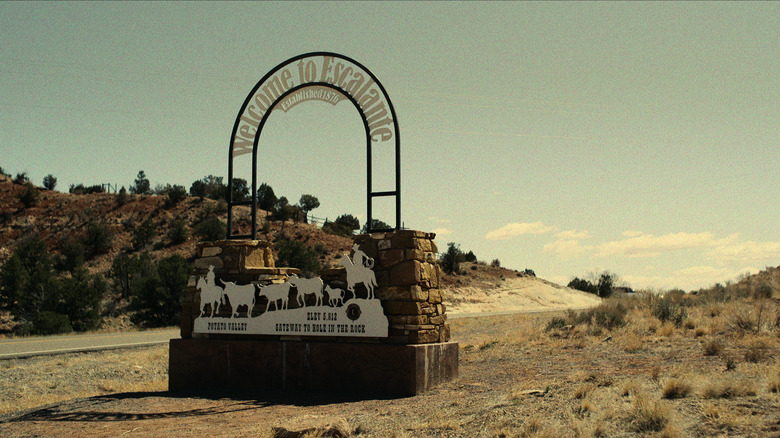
156, 295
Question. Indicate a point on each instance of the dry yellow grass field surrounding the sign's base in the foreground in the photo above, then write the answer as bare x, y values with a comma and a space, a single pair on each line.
634, 366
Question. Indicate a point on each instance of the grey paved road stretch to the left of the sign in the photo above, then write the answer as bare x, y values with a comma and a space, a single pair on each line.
36, 346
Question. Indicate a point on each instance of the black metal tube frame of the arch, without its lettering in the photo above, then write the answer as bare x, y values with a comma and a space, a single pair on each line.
370, 194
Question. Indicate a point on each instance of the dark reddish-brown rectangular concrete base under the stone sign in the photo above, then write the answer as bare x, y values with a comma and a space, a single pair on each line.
198, 365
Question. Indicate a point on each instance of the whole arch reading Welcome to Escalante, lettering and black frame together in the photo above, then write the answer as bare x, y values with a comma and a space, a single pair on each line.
323, 76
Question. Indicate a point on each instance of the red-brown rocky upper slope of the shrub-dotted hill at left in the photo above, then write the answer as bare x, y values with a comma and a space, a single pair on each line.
58, 217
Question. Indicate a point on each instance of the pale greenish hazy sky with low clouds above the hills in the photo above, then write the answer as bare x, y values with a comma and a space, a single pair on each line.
568, 138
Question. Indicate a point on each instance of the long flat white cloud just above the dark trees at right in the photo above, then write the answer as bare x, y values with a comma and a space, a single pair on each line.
648, 245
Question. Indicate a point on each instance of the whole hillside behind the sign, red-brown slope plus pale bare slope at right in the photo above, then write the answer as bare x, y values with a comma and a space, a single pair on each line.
58, 218
